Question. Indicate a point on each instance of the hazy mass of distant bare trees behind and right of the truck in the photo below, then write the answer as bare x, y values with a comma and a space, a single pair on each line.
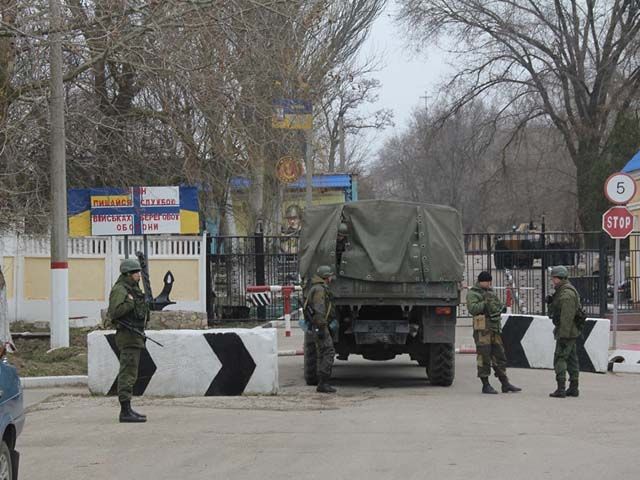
468, 162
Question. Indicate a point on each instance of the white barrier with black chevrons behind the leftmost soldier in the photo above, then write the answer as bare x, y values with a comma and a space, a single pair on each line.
192, 363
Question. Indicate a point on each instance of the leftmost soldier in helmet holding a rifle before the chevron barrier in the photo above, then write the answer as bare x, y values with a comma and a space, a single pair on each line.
127, 306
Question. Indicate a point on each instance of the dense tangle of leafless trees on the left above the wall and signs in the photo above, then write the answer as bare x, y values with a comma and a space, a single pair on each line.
167, 92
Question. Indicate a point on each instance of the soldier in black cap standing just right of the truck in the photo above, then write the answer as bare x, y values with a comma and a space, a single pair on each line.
486, 307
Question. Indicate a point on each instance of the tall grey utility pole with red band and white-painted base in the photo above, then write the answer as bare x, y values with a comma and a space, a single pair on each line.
59, 262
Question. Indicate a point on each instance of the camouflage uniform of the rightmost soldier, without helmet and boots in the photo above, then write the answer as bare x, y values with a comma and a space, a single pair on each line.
562, 310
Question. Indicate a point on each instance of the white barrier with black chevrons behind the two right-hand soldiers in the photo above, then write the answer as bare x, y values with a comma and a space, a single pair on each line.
529, 343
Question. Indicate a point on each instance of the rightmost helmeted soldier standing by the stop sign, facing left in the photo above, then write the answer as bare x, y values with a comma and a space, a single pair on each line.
563, 307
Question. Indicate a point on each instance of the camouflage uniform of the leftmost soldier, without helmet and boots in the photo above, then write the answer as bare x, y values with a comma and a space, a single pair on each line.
126, 303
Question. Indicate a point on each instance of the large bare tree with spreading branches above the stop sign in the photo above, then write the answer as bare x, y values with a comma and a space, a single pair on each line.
573, 62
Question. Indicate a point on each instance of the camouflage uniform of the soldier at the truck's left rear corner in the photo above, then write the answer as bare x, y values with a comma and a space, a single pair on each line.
320, 299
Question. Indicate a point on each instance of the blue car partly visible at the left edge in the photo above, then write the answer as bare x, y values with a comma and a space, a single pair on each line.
11, 417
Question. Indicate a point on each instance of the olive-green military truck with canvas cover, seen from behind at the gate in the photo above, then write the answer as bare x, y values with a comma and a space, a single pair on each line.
397, 285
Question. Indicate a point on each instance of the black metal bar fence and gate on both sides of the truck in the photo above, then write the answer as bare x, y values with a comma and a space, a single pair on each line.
519, 263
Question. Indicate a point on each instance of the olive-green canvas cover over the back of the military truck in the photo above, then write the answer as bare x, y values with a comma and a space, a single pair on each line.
389, 241
